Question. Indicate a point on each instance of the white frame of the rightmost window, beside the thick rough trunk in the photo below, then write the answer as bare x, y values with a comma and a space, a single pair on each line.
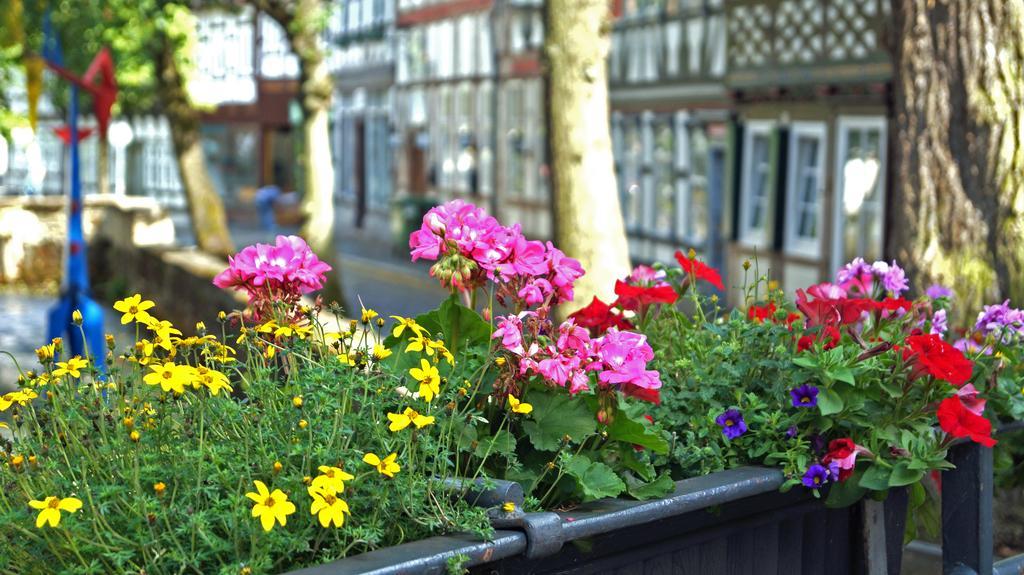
843, 126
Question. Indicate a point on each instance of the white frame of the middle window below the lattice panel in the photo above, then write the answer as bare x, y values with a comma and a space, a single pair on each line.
794, 243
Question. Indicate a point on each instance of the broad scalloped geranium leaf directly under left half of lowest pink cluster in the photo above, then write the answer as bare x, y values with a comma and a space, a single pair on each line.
556, 416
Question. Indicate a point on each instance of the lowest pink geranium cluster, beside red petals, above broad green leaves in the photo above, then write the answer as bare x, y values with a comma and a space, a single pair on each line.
567, 360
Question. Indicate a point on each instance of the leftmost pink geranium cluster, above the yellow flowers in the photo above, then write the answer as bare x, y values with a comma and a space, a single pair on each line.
283, 272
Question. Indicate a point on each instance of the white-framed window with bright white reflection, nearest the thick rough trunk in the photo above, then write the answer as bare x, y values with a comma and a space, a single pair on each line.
860, 214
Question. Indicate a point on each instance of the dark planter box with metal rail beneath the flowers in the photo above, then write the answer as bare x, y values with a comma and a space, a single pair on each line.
734, 522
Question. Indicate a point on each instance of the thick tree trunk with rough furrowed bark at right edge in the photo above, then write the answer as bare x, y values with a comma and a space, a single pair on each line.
958, 206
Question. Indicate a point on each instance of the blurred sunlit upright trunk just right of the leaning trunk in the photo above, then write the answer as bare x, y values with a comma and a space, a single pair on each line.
304, 21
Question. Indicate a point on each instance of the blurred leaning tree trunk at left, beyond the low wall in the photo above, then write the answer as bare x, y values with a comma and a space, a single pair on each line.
209, 222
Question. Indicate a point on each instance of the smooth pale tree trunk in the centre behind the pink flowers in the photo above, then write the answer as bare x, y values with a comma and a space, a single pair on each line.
588, 219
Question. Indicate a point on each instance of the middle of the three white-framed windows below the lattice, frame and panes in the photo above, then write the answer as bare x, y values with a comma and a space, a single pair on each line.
805, 183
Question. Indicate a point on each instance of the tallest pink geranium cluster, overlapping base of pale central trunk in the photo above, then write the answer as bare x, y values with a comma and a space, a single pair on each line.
472, 248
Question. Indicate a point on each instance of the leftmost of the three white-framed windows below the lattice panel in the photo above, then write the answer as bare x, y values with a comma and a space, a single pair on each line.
756, 184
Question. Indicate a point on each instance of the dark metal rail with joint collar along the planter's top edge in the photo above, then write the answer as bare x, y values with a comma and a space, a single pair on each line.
546, 533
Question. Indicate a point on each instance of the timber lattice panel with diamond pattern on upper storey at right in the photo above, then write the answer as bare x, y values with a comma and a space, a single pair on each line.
806, 41
